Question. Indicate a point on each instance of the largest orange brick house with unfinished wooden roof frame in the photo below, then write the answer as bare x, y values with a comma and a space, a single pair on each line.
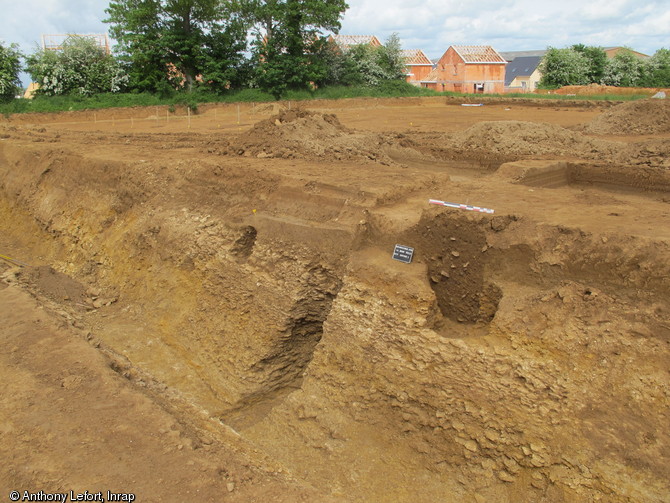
468, 69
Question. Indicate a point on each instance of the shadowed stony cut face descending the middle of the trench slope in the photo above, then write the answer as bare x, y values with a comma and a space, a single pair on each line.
281, 370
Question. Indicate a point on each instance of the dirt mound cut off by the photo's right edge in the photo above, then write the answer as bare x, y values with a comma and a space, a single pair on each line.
650, 116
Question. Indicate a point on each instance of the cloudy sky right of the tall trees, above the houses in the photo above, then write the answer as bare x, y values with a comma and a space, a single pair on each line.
517, 25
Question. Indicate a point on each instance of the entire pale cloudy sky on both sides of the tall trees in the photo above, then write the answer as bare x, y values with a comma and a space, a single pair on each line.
430, 25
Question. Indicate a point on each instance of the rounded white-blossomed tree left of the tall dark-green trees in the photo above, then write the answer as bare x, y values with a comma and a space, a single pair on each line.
79, 67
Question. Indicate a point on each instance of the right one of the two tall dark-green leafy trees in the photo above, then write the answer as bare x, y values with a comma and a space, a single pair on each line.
289, 38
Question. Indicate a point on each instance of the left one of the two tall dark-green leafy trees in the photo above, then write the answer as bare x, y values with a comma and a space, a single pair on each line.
168, 42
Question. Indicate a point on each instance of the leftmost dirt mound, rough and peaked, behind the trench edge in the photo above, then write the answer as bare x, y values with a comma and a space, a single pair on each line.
304, 134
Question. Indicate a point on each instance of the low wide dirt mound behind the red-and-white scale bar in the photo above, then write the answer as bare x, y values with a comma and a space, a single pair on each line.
529, 139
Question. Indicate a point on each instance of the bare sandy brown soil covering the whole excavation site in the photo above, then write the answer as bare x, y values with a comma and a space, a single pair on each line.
205, 306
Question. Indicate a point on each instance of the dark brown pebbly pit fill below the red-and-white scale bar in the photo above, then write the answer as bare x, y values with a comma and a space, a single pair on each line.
455, 253
